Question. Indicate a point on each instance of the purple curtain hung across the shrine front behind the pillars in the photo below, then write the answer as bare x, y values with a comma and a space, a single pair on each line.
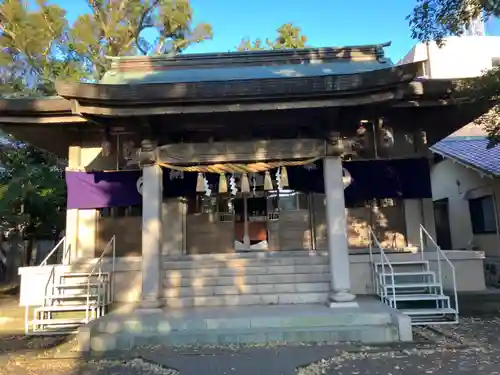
399, 178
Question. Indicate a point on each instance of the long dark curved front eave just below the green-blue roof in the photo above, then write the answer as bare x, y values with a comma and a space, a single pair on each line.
142, 93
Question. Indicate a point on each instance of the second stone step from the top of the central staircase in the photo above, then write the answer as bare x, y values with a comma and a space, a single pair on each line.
245, 262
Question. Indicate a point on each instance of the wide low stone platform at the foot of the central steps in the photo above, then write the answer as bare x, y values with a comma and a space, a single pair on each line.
127, 327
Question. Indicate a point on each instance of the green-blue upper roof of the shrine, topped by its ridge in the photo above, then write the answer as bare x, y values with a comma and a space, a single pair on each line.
247, 65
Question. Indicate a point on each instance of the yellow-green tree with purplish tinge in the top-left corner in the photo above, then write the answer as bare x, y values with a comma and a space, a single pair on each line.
35, 48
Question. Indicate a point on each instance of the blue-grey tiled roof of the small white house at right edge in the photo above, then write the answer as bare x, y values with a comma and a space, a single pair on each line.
471, 151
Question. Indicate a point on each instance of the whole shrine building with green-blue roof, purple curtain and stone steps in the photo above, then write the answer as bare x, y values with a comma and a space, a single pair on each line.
252, 180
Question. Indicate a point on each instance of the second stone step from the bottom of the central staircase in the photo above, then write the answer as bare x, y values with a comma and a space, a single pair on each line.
192, 291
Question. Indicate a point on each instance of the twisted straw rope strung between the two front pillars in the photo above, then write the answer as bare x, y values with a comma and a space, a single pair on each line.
238, 168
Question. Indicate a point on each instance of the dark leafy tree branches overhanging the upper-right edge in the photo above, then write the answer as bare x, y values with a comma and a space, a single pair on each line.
434, 20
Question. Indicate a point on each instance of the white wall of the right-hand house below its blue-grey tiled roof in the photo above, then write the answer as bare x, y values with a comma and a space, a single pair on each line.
451, 180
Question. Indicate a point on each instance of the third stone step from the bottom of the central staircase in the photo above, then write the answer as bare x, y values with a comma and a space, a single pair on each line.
174, 279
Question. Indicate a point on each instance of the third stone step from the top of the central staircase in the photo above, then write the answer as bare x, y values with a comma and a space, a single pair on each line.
251, 270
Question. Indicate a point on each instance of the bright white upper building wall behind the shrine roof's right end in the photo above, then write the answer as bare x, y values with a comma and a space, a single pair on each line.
460, 57
